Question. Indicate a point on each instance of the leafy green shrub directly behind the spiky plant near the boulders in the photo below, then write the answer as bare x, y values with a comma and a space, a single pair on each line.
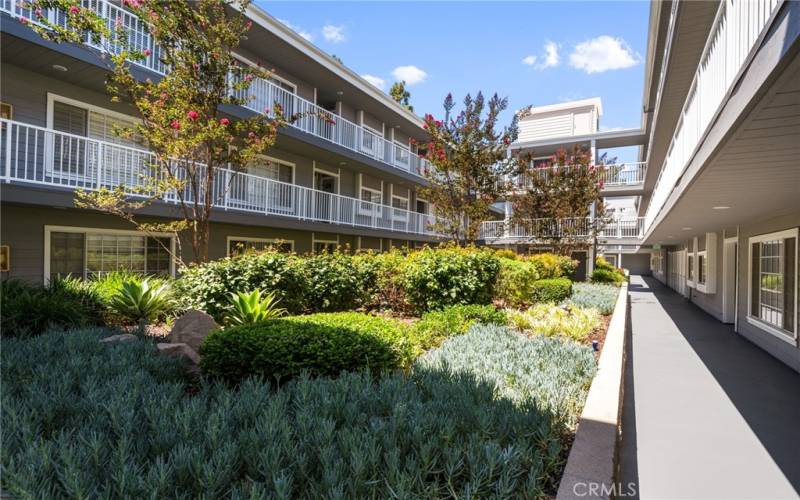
207, 286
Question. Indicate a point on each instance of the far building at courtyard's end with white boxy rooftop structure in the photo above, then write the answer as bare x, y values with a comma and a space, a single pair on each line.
542, 131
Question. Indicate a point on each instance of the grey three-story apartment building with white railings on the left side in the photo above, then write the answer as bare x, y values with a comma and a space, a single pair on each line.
351, 181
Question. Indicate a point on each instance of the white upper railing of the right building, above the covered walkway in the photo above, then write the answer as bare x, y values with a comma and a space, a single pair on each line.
737, 27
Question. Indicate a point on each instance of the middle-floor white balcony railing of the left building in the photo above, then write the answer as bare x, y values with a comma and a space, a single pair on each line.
36, 155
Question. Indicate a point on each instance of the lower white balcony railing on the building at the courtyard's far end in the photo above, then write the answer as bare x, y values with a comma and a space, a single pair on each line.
544, 229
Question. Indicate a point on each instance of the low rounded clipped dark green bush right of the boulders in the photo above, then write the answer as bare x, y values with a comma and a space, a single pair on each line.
281, 349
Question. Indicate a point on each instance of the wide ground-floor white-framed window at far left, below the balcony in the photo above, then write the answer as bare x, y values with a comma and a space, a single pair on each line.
86, 252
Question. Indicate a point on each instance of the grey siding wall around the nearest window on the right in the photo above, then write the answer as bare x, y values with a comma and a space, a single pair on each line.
782, 349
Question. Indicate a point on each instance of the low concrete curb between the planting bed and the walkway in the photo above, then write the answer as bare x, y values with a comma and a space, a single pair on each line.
591, 465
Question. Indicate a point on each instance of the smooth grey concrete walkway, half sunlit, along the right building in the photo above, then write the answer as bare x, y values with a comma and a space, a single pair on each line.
706, 414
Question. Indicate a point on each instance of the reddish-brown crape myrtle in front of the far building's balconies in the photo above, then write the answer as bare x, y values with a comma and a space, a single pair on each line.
558, 198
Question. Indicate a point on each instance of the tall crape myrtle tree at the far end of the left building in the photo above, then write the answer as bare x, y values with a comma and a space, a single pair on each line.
468, 155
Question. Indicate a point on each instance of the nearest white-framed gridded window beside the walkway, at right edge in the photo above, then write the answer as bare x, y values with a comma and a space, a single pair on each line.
773, 282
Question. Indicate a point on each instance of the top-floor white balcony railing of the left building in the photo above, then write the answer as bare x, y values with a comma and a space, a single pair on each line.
263, 94
